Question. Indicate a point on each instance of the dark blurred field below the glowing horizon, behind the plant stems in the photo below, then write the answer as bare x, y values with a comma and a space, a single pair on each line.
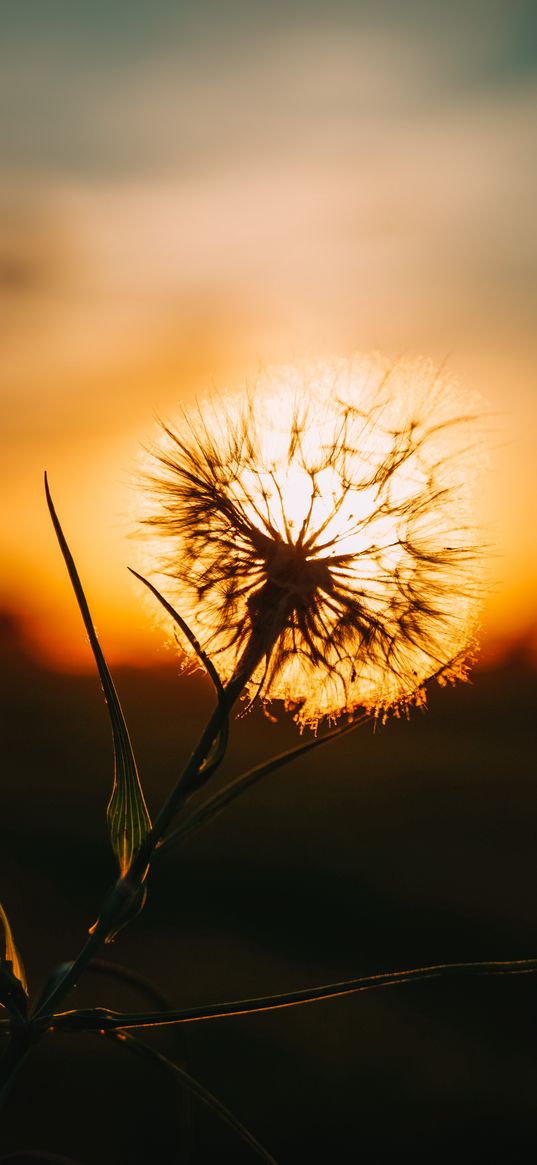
414, 844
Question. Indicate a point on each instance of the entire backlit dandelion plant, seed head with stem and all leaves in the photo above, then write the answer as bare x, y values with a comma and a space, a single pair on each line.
320, 539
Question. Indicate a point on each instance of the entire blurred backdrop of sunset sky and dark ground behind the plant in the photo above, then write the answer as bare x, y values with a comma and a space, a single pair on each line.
190, 193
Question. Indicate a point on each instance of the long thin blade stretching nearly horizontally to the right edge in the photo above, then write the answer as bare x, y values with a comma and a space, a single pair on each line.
104, 1020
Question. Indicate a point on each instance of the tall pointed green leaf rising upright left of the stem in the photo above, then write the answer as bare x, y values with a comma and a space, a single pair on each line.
128, 815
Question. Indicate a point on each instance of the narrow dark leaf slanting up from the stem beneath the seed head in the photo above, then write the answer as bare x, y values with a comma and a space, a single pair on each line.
220, 802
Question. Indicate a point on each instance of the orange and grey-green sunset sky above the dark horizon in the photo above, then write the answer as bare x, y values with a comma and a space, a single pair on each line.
190, 193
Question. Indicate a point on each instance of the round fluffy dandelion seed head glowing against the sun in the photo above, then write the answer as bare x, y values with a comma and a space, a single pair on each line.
320, 533
